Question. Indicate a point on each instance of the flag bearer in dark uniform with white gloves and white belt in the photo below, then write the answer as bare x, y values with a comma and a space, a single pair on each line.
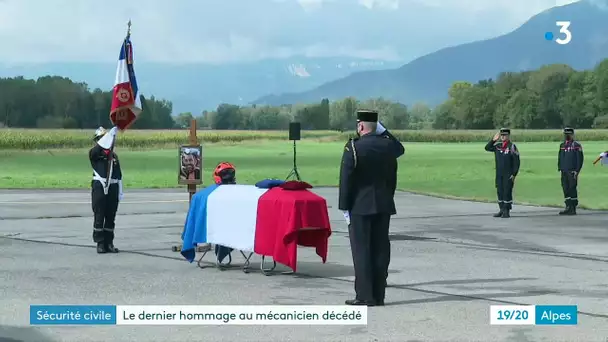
104, 197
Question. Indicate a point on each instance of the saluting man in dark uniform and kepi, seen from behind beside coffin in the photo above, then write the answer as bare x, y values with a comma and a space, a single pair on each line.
368, 180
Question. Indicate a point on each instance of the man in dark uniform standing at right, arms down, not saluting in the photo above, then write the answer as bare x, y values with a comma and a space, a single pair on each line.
569, 163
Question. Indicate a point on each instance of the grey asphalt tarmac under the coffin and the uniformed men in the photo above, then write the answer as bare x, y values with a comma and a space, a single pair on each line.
451, 260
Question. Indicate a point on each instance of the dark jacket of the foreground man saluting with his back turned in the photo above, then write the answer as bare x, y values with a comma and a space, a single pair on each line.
368, 174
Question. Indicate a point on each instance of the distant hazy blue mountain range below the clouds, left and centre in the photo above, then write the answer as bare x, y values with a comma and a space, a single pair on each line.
194, 87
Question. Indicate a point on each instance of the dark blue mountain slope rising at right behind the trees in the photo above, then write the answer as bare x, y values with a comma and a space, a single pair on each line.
427, 79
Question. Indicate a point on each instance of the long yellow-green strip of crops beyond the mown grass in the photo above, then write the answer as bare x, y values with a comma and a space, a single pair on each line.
43, 139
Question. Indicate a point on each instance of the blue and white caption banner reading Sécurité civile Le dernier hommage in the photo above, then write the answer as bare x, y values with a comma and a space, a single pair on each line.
196, 315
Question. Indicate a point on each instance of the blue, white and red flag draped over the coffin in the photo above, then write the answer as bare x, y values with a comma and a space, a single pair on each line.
268, 222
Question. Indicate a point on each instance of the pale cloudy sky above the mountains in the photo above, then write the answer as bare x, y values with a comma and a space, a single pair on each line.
220, 31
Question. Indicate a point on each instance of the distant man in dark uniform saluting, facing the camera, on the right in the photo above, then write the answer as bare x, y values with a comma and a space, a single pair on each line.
507, 166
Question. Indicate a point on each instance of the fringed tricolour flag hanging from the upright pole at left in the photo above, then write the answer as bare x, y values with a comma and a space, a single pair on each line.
125, 101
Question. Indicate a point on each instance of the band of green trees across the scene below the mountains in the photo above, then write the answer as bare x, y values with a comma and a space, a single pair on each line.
552, 96
